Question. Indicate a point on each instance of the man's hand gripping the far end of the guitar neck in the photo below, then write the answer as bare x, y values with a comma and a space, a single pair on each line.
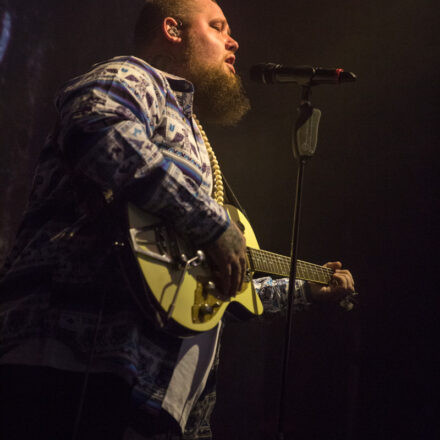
341, 285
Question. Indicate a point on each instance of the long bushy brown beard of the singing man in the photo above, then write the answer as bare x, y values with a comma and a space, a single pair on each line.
219, 96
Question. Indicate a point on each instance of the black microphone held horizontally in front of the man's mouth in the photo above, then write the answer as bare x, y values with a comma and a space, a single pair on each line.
270, 73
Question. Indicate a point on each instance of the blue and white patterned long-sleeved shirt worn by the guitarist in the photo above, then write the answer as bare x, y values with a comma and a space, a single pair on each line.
124, 132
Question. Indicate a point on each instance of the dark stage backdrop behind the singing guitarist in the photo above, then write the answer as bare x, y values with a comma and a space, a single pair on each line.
370, 197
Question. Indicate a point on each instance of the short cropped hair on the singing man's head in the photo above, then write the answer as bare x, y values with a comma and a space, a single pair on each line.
152, 15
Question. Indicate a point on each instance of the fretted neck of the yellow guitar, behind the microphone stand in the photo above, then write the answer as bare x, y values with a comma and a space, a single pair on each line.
279, 265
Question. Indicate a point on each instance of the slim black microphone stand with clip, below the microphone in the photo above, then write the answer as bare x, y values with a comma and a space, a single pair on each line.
304, 140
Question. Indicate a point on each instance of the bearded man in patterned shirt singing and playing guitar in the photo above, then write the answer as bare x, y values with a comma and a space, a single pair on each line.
79, 359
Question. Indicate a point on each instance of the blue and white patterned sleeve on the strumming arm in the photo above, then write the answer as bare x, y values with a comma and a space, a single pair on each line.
107, 120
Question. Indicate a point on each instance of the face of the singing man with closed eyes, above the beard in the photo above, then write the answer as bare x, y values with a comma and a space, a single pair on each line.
209, 30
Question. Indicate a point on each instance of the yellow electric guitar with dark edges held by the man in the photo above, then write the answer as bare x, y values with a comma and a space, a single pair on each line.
180, 281
